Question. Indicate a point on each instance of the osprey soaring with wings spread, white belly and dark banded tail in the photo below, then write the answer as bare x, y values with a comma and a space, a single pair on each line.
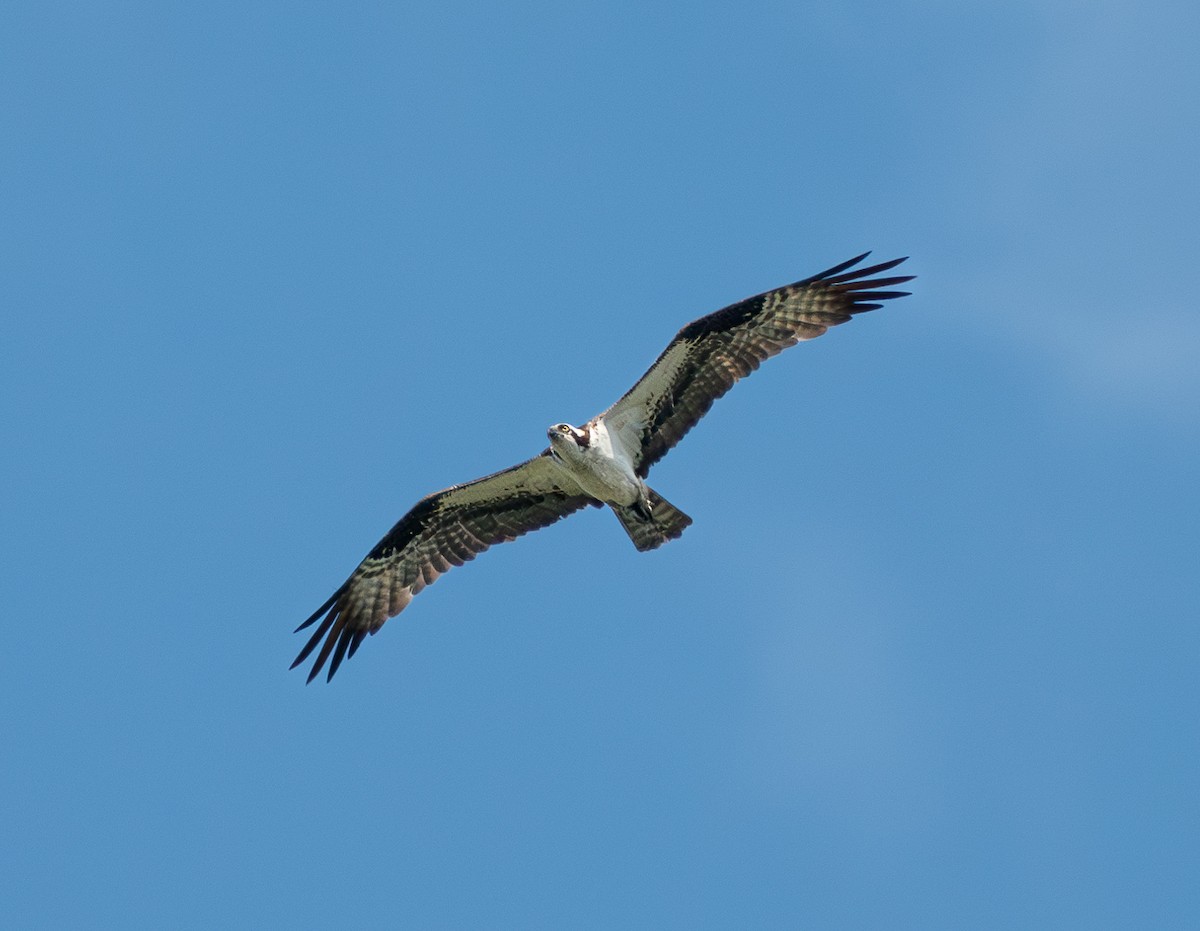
604, 463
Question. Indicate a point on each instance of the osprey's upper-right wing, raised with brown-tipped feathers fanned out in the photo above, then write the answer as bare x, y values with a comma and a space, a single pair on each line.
710, 355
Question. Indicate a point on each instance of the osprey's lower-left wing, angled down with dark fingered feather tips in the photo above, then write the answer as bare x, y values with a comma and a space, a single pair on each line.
445, 530
